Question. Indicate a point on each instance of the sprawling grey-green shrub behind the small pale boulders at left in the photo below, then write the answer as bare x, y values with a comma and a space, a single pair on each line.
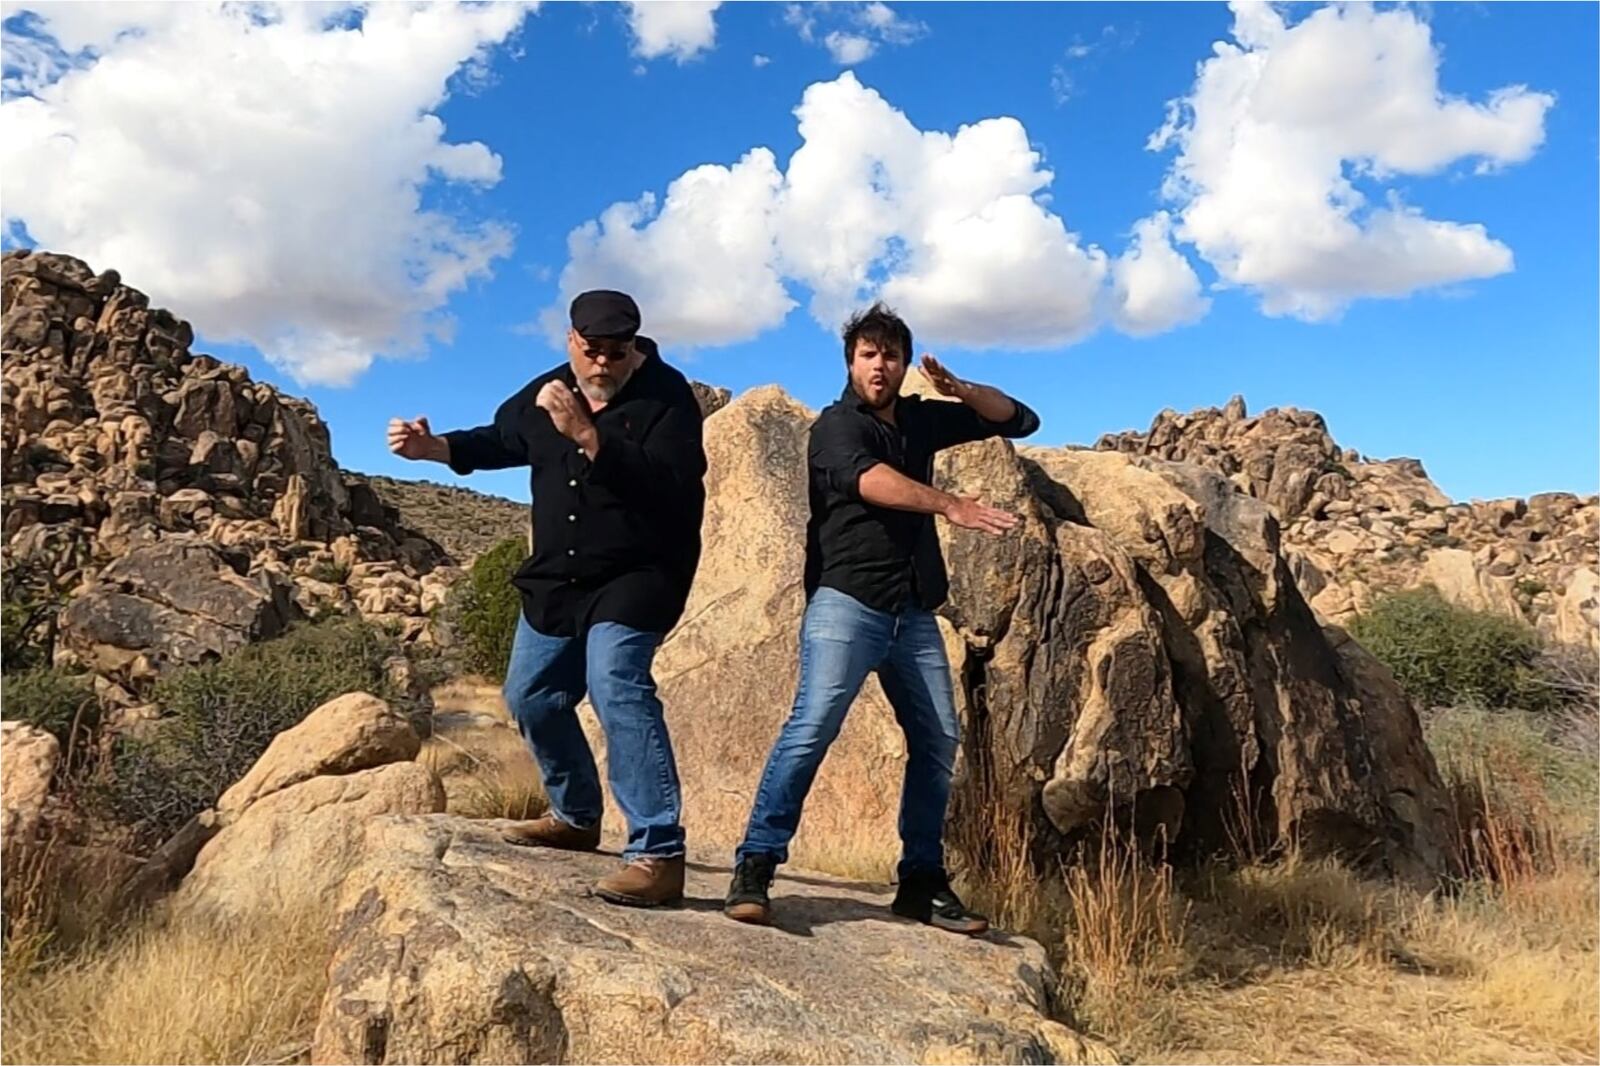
222, 716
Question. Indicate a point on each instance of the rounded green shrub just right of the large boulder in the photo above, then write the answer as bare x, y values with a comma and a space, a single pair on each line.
1444, 655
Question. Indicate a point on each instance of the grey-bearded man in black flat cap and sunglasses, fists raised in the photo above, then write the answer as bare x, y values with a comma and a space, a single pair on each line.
614, 438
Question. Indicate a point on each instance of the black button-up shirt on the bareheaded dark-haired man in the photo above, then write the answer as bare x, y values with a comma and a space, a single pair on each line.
884, 558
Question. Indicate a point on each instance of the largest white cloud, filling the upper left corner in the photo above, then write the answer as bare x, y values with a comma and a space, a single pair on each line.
262, 169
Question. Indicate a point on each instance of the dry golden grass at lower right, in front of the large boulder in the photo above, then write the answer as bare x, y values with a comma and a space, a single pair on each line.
1303, 961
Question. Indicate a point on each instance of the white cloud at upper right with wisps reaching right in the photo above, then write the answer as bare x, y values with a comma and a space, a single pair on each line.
1289, 124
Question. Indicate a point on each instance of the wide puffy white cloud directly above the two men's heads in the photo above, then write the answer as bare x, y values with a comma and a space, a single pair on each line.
951, 228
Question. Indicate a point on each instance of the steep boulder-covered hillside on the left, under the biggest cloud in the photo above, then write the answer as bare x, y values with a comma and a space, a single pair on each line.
174, 507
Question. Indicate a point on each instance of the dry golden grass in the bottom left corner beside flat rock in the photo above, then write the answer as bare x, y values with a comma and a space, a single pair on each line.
174, 992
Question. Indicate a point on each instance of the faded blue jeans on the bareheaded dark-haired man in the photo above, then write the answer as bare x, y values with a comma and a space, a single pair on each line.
841, 643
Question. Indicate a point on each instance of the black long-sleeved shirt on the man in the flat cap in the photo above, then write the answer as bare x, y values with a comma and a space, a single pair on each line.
617, 539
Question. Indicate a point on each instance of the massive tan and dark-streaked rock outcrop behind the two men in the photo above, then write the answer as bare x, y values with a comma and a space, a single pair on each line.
1138, 644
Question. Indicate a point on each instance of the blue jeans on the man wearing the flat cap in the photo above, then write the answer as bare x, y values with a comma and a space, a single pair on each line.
546, 681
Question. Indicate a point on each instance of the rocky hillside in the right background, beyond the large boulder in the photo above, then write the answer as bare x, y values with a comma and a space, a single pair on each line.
1358, 527
